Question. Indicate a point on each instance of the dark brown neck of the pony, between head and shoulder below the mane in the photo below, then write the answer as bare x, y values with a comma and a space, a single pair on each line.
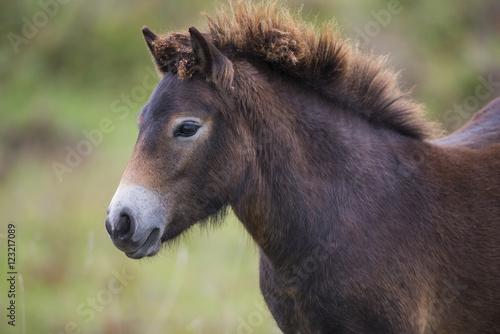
313, 163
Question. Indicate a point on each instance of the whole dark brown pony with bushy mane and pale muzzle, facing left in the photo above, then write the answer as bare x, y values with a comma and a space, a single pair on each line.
364, 224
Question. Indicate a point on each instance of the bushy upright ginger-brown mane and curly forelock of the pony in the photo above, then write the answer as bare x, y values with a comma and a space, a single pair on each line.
321, 59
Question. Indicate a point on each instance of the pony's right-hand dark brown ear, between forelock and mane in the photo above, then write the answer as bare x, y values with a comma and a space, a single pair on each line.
212, 64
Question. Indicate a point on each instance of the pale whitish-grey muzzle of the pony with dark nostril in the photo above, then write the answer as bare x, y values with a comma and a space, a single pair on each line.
136, 220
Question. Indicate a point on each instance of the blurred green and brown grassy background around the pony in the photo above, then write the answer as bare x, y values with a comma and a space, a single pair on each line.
65, 65
